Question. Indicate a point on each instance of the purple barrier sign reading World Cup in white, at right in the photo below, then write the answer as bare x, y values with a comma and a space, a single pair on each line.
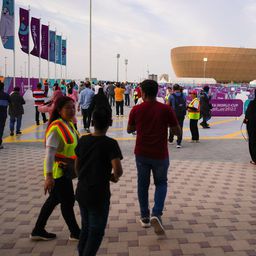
227, 107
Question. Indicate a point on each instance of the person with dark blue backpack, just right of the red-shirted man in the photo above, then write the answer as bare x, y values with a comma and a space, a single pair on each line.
177, 101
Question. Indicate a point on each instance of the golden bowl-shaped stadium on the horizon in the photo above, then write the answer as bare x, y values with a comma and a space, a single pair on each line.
224, 64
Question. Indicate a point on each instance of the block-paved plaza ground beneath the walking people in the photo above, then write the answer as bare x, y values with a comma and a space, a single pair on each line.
210, 207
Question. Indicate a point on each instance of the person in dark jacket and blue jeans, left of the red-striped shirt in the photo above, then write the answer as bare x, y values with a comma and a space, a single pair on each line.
16, 110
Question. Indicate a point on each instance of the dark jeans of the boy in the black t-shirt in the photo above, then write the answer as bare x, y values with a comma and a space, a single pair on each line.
94, 220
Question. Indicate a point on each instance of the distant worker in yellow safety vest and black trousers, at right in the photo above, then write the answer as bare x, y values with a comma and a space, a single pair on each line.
194, 115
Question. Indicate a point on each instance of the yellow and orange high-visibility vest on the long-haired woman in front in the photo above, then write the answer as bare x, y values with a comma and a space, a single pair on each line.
69, 139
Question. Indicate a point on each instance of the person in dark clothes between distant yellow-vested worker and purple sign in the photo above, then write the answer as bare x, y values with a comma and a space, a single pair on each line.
205, 107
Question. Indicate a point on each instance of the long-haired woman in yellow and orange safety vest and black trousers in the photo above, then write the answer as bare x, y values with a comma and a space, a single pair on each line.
60, 139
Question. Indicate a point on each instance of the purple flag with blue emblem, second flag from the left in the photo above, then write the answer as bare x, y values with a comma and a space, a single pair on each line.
24, 30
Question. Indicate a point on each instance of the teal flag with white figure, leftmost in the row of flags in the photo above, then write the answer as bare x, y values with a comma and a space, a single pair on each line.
7, 24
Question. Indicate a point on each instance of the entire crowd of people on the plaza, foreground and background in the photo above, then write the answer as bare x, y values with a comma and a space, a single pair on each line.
154, 120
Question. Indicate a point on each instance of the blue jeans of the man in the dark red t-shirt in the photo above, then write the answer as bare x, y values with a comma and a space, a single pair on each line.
159, 169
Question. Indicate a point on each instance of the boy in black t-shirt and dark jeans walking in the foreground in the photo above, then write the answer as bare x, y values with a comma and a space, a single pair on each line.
97, 155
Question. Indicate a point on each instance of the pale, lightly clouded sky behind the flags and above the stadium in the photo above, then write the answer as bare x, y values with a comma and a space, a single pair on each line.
142, 31
